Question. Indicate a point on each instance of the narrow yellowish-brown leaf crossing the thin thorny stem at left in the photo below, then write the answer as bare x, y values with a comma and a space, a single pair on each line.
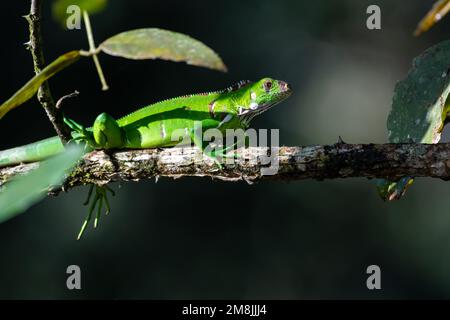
32, 86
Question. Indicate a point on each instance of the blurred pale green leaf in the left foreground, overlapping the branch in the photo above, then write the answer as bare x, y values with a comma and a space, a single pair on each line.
24, 191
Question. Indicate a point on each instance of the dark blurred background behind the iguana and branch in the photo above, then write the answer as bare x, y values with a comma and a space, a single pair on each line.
195, 238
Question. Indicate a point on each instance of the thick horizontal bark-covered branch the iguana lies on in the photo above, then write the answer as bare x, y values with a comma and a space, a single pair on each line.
340, 160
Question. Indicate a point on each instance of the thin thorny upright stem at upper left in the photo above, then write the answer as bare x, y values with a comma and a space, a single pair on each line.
44, 95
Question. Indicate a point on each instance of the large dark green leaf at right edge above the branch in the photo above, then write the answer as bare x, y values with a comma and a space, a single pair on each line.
419, 102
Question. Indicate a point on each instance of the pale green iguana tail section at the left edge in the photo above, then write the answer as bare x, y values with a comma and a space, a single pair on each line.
31, 152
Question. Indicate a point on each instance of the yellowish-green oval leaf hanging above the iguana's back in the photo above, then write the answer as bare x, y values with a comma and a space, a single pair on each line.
162, 44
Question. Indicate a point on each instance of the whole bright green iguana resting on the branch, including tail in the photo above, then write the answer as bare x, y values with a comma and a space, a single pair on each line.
154, 125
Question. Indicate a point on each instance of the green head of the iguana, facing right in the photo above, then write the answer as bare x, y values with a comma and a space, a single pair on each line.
260, 96
